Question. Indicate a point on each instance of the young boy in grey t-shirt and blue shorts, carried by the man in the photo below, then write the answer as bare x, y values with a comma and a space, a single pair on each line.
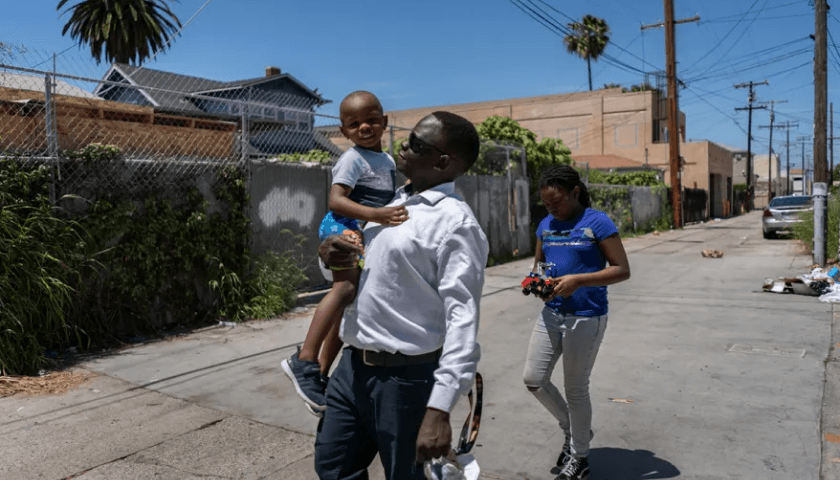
364, 180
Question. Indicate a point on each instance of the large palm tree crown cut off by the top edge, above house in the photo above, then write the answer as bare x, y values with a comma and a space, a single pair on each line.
121, 30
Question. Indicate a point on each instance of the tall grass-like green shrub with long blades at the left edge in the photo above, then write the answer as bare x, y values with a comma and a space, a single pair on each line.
40, 270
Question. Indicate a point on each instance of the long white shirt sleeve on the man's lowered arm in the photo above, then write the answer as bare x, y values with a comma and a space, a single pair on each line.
461, 261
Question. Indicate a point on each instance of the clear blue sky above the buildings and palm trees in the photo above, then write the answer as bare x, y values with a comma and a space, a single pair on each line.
438, 52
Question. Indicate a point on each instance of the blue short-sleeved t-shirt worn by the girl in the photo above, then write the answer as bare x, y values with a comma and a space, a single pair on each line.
572, 246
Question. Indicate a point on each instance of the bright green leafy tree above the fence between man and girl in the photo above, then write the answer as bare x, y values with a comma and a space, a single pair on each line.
506, 131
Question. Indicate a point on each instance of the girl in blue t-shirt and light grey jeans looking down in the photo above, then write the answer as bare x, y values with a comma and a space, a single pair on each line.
577, 242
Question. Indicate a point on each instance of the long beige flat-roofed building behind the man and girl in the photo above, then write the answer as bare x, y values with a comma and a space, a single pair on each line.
631, 125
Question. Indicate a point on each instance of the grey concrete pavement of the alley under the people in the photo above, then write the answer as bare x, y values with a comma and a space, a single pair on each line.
701, 376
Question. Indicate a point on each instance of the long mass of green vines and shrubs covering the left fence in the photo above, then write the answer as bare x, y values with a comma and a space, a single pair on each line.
79, 279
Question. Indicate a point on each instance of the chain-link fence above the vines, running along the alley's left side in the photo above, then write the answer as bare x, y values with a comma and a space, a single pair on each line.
174, 133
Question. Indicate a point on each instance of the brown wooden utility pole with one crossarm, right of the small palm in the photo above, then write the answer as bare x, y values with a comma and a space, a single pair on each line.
673, 107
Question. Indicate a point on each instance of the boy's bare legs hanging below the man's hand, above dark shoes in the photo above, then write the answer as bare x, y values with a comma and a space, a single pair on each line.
328, 315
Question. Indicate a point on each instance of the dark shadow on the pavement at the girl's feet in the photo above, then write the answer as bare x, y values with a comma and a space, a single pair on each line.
623, 464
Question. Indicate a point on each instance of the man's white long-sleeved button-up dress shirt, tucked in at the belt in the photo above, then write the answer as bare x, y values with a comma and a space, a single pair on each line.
421, 286
